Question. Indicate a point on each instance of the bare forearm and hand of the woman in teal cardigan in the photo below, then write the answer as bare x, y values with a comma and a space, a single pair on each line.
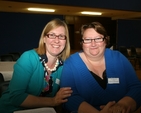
34, 101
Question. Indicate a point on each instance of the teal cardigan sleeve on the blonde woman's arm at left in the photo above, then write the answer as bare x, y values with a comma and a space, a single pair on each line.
19, 87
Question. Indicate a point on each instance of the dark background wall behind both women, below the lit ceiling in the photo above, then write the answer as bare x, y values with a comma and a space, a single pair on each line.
20, 32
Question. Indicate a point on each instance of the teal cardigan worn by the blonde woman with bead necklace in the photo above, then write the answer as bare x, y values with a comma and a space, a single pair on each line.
28, 78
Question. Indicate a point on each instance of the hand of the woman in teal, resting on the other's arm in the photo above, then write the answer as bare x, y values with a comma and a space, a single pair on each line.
62, 95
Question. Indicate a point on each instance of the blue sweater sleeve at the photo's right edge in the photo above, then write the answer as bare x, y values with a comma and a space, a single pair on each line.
132, 81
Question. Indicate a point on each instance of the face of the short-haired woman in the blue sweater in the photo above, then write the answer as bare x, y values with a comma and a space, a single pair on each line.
93, 49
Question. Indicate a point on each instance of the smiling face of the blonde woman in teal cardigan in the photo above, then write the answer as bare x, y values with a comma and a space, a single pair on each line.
55, 46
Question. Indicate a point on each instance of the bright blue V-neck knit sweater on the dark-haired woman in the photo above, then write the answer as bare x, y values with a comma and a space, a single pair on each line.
85, 88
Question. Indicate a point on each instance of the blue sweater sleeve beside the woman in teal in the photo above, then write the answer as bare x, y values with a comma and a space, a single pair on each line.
68, 80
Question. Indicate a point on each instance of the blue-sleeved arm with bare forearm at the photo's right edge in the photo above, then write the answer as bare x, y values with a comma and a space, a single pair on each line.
131, 99
